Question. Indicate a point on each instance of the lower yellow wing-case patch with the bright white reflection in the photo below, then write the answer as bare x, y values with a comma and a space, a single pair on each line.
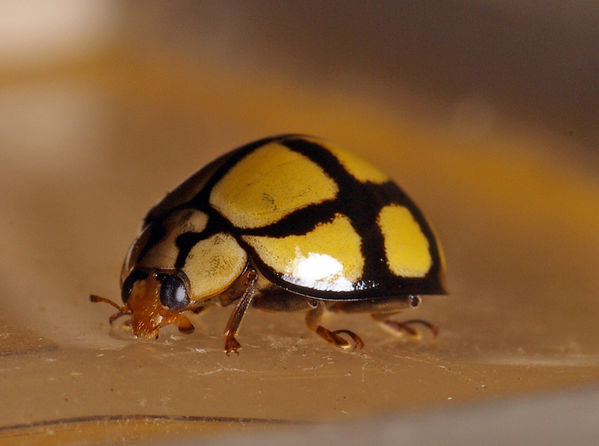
327, 258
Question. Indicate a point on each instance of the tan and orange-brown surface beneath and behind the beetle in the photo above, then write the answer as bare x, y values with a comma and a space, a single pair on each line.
516, 212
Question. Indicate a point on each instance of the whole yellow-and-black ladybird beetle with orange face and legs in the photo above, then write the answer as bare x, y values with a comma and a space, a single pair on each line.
286, 223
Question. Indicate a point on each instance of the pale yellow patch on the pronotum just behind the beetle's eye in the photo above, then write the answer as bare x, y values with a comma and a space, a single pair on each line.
213, 264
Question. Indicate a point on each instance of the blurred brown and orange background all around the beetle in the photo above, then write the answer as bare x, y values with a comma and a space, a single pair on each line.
484, 112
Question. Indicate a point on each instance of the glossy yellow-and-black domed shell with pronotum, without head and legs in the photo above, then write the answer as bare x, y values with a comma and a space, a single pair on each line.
309, 217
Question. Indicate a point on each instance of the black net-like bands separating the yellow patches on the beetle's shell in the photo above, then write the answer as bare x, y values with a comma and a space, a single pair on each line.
361, 202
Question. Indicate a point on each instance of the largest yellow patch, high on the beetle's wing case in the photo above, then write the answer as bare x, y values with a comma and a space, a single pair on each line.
268, 184
